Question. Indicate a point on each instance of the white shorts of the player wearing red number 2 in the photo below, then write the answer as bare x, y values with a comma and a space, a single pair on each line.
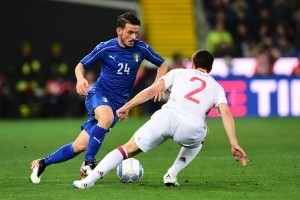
167, 124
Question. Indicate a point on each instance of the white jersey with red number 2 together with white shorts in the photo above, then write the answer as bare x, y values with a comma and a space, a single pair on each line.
182, 118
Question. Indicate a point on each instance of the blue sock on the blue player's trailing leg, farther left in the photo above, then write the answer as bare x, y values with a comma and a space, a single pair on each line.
62, 154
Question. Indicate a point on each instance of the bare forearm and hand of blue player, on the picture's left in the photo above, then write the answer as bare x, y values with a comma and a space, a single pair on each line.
82, 85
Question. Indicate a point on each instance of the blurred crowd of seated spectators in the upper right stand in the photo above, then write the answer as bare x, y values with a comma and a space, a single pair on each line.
263, 29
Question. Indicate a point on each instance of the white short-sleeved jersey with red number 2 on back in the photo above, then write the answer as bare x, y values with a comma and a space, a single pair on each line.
193, 93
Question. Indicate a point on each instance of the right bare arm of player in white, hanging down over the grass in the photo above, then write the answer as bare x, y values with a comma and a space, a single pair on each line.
228, 122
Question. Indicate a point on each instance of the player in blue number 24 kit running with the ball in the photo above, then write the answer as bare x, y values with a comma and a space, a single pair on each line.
120, 58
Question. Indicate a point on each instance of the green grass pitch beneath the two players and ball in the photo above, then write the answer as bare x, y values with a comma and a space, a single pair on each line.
272, 144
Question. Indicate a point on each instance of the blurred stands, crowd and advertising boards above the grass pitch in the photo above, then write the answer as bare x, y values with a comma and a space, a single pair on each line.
256, 44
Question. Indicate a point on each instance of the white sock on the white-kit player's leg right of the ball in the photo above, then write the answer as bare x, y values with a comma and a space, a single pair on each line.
184, 157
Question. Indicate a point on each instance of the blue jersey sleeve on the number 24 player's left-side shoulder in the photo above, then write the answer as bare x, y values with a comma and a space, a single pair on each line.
93, 57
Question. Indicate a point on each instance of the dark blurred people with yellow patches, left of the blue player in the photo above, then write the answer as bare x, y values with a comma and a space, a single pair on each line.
35, 88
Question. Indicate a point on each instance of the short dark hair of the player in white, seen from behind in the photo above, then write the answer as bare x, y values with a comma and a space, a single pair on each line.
203, 59
